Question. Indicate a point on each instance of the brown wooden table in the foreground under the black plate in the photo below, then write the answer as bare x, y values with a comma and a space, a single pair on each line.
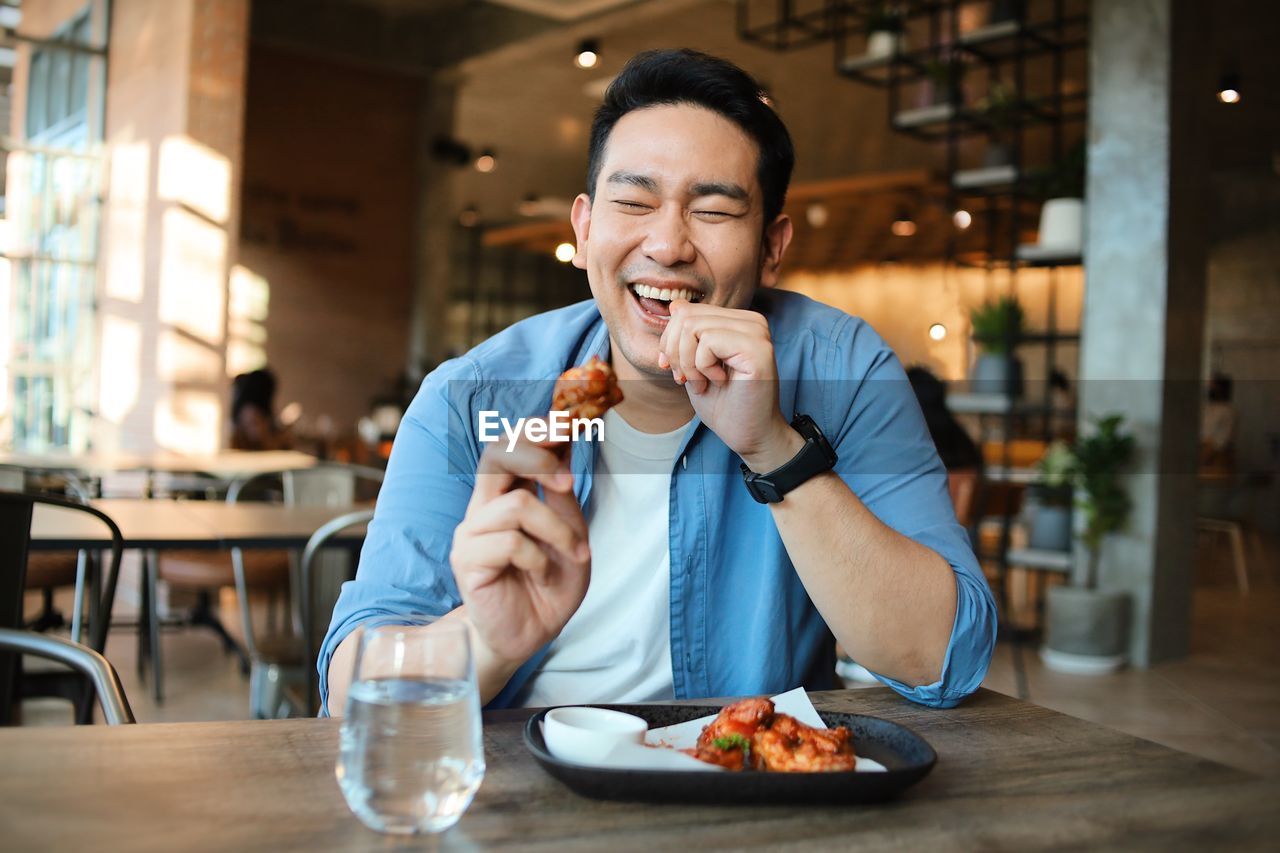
1009, 776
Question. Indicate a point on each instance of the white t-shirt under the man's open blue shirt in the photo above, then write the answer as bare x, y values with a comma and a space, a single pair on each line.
618, 646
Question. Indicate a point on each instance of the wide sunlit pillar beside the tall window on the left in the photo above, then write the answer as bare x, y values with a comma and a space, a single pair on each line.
175, 124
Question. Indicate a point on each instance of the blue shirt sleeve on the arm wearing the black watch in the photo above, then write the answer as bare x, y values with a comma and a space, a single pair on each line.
889, 460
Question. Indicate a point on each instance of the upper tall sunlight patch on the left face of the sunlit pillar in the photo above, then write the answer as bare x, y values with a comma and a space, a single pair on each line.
127, 222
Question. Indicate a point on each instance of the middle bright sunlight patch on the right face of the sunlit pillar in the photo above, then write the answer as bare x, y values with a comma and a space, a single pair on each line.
193, 264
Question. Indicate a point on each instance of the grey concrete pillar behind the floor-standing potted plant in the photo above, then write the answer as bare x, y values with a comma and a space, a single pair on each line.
1145, 298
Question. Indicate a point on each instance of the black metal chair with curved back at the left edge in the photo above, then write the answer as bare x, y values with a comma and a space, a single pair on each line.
16, 514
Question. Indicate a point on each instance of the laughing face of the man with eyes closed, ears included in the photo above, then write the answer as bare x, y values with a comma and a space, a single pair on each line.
679, 213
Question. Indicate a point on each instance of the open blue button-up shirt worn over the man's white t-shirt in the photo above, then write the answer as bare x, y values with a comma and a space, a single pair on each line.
742, 622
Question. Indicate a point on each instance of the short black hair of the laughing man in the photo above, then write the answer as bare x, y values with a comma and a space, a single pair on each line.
671, 77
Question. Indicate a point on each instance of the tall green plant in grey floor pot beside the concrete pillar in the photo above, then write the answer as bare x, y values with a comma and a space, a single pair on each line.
1087, 630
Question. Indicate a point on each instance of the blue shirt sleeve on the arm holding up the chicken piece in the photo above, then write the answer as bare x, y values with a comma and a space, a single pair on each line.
404, 565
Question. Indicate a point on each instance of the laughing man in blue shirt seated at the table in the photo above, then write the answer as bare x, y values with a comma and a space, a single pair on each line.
650, 568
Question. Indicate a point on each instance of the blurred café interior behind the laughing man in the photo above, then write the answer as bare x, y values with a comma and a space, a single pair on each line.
1063, 216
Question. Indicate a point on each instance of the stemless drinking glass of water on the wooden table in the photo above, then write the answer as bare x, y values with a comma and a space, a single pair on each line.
412, 756
